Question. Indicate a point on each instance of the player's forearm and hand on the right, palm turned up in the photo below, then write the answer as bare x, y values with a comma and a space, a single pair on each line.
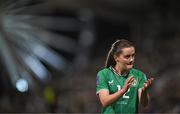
143, 93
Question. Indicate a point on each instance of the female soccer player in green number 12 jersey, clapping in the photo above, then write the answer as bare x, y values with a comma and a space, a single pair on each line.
120, 87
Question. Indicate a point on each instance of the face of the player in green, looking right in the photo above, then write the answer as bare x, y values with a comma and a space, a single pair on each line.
125, 60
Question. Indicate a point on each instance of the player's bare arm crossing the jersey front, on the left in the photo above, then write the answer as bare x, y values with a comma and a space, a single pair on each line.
107, 99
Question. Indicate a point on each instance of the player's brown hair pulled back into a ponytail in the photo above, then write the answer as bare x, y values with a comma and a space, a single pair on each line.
116, 49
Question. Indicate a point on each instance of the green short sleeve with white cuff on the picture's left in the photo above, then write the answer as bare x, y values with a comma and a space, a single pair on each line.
101, 82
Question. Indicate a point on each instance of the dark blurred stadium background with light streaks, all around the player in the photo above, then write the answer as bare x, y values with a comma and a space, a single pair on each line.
80, 33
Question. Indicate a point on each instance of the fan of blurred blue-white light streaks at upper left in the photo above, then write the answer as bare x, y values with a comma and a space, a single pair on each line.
27, 41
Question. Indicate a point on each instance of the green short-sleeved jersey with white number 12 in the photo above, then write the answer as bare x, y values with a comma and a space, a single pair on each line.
111, 81
